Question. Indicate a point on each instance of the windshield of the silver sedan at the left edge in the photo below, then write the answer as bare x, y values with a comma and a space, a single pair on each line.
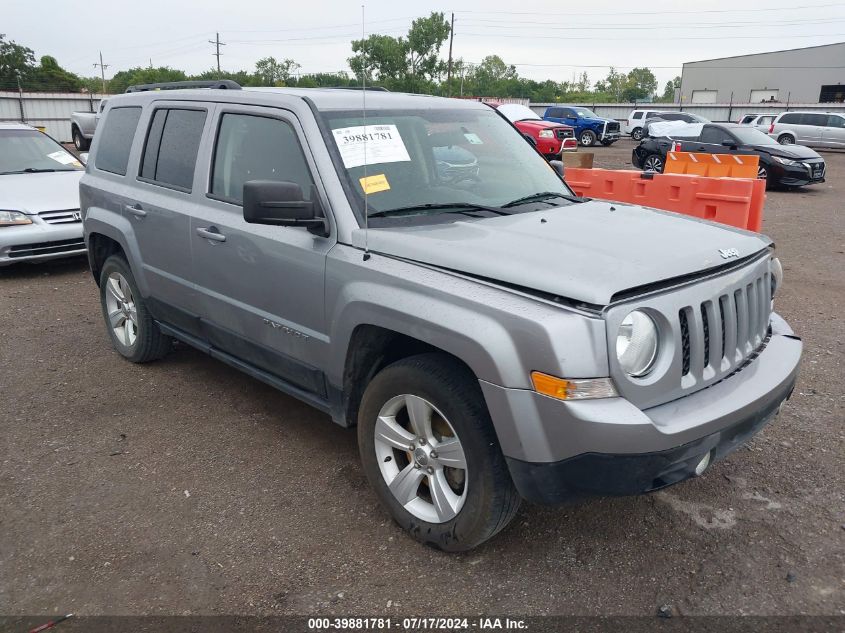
23, 151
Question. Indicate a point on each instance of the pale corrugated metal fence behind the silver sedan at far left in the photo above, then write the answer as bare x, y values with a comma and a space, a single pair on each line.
48, 110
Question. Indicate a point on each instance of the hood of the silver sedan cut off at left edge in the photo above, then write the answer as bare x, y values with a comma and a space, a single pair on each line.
34, 193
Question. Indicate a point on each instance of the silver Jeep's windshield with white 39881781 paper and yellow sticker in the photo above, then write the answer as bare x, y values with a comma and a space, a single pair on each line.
440, 156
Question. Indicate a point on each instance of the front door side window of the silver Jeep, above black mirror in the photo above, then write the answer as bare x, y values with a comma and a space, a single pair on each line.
256, 148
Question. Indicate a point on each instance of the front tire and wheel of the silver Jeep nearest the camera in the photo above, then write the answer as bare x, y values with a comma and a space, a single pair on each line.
429, 450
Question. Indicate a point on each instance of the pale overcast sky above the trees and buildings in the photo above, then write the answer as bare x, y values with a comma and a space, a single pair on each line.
544, 39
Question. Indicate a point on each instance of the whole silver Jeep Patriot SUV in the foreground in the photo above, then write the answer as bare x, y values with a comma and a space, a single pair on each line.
411, 266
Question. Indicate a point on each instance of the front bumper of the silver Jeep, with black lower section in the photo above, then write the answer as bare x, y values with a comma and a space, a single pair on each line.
558, 451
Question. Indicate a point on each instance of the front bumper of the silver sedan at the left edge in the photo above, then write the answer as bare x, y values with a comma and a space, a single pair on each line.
40, 241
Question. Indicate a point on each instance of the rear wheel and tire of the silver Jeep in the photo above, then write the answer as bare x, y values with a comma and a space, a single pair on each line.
133, 333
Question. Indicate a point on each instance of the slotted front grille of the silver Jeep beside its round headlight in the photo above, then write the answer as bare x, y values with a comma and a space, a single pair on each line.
742, 314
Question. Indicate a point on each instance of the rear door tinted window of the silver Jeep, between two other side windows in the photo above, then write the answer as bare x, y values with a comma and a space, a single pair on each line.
173, 141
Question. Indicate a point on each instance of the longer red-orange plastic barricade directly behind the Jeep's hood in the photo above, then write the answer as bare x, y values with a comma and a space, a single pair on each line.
734, 201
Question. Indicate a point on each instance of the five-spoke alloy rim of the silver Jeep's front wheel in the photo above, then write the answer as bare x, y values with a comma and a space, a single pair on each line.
421, 458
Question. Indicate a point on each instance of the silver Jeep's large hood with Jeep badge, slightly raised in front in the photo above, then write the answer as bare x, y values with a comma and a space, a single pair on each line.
586, 252
